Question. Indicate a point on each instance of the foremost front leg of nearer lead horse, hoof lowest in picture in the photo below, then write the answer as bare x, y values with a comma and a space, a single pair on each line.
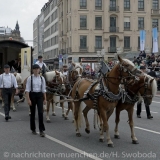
106, 127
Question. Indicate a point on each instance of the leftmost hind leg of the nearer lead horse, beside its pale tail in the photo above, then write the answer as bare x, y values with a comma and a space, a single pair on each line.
77, 116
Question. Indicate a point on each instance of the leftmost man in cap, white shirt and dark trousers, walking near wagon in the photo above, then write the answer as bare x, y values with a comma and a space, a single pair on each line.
7, 83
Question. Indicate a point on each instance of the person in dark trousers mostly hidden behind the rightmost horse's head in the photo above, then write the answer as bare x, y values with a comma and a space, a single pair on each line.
139, 104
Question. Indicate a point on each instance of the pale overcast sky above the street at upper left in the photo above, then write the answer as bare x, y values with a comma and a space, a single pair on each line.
25, 11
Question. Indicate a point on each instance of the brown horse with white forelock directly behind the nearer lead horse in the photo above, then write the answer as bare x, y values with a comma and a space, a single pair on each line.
74, 74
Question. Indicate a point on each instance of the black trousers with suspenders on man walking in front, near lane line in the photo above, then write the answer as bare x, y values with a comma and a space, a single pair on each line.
36, 99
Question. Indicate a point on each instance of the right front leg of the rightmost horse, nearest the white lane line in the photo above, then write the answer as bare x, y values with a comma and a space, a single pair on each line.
131, 124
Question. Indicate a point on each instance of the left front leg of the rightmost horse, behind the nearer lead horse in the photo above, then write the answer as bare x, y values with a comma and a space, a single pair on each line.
117, 119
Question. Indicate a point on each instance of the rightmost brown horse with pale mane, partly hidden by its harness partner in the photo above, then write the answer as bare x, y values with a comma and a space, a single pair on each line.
146, 88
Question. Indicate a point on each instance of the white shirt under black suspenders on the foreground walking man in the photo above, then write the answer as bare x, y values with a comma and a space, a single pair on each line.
37, 84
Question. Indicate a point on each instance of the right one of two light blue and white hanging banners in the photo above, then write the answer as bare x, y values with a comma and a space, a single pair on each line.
155, 40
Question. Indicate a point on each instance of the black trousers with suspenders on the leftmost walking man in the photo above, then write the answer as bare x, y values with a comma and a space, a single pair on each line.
6, 95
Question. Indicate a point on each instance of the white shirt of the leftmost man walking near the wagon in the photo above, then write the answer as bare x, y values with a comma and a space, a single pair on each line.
8, 81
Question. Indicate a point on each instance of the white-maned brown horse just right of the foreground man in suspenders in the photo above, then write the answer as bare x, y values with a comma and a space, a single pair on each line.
55, 85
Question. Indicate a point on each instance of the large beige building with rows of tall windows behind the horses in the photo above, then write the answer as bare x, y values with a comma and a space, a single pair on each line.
87, 26
